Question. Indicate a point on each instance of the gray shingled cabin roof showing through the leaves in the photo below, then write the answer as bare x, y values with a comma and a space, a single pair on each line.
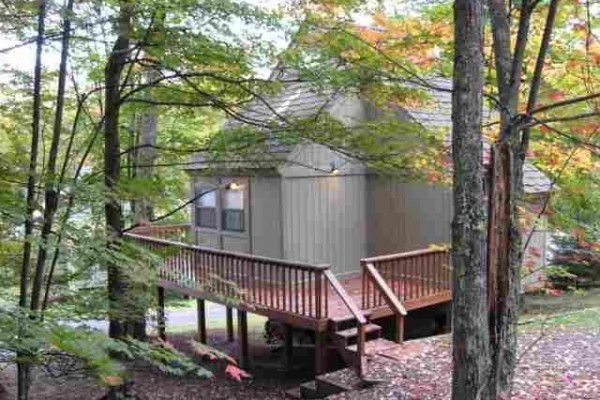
301, 100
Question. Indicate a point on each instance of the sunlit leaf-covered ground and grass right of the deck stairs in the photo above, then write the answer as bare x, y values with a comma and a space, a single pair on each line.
559, 357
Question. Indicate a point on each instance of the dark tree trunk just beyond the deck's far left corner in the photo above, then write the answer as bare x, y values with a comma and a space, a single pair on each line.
117, 279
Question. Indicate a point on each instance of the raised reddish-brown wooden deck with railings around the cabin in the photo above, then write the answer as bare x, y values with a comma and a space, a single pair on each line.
300, 295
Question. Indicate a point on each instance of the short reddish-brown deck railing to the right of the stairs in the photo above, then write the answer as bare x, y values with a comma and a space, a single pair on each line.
410, 276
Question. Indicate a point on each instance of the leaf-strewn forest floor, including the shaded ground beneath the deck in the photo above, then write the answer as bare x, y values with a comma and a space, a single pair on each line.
559, 359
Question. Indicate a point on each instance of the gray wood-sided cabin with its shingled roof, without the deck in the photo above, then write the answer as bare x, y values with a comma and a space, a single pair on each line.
312, 204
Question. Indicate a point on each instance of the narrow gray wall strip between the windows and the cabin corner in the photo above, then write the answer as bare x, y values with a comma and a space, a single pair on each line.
265, 213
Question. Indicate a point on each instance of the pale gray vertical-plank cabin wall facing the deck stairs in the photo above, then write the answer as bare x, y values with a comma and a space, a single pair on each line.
324, 220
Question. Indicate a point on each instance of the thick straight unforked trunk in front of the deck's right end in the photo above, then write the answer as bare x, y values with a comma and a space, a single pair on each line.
469, 317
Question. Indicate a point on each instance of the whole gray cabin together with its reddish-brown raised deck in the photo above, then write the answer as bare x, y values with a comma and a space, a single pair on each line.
314, 239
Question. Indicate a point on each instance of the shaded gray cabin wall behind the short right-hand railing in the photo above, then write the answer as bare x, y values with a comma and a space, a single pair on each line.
407, 216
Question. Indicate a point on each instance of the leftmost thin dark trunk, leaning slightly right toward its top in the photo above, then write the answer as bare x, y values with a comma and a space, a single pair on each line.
23, 369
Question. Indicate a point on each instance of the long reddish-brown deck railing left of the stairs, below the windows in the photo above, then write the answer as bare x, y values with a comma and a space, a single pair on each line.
229, 277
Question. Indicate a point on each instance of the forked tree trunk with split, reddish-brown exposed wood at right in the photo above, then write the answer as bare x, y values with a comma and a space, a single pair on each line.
505, 246
